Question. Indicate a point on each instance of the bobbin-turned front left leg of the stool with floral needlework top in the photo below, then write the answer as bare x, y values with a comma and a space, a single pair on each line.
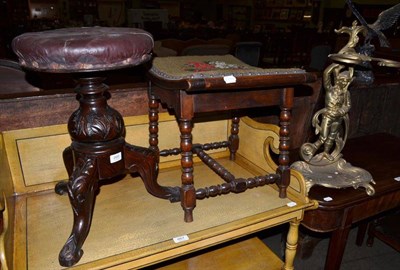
188, 193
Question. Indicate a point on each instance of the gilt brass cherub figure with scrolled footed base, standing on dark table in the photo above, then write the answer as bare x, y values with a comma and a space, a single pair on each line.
326, 167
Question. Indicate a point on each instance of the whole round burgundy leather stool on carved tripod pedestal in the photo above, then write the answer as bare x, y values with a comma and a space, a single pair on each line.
98, 150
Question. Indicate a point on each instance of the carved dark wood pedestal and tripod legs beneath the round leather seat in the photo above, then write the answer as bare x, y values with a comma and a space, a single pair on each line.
98, 151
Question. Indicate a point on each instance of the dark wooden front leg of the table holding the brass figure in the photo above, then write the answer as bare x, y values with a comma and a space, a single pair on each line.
337, 245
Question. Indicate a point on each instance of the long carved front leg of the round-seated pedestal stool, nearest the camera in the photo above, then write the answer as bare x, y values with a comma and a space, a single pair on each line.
81, 192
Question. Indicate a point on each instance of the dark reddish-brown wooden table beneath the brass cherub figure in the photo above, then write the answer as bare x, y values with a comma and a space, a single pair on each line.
378, 154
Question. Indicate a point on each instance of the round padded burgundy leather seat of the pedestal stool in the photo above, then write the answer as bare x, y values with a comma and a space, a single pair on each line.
83, 49
